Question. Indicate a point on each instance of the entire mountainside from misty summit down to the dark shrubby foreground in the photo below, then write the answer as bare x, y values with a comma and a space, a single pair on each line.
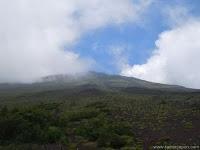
97, 112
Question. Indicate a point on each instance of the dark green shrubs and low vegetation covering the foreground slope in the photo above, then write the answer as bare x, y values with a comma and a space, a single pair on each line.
99, 121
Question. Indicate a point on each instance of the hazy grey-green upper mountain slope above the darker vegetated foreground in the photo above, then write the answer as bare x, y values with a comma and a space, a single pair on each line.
91, 80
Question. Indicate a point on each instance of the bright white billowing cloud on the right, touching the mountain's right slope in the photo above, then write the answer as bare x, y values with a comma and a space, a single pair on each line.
176, 59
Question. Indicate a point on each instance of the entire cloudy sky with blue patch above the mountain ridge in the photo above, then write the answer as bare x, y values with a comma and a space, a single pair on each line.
153, 40
